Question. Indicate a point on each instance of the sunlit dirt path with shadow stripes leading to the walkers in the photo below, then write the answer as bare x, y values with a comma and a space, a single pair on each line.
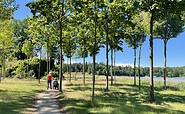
45, 103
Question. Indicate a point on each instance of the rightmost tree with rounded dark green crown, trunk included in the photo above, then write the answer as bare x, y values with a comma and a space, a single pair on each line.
168, 28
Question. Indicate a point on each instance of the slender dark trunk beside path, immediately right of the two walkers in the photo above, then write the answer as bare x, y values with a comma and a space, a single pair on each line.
61, 56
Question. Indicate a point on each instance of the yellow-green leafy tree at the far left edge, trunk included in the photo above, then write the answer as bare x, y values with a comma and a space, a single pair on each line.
7, 9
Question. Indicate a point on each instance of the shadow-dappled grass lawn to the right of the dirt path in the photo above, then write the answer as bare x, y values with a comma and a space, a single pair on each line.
122, 97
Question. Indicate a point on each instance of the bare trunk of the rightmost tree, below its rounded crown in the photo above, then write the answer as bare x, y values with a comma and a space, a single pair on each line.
165, 42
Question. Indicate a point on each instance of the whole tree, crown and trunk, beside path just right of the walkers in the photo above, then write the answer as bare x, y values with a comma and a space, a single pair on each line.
54, 11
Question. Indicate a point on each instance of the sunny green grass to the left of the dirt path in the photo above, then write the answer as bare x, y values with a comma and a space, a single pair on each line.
16, 95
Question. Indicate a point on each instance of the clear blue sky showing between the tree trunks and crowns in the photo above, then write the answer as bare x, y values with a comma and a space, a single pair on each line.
175, 47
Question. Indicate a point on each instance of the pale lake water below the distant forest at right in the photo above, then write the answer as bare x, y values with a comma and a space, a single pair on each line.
176, 79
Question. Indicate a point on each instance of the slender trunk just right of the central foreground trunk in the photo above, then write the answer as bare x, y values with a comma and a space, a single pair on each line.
107, 60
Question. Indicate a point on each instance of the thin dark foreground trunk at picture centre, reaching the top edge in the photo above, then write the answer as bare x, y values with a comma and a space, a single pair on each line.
94, 57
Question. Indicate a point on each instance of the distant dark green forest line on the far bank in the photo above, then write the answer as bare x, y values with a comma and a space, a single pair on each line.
125, 70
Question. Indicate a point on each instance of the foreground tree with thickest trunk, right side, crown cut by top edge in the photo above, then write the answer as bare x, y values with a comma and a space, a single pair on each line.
157, 10
